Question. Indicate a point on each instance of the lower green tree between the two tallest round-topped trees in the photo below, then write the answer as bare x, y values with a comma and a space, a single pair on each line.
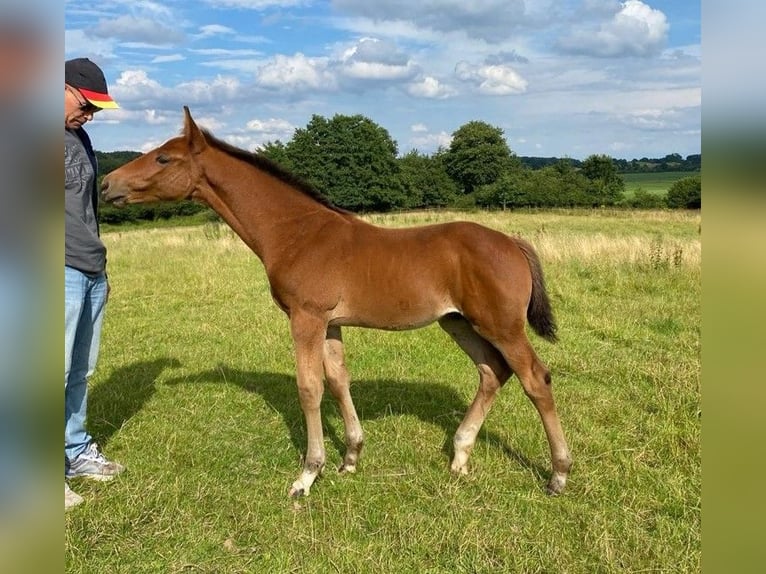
426, 182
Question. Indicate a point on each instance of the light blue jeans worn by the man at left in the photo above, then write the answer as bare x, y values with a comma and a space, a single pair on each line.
84, 302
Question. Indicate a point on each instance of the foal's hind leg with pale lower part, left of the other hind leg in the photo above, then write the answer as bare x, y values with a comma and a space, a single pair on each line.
493, 373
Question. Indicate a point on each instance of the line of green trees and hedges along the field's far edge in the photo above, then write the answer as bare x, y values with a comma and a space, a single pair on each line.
355, 163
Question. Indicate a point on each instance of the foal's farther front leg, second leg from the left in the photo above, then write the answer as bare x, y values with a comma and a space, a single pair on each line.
338, 380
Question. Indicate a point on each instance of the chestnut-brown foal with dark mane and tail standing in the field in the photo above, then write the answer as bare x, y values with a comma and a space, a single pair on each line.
328, 269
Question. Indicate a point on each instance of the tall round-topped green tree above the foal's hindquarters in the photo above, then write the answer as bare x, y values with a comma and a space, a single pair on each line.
478, 155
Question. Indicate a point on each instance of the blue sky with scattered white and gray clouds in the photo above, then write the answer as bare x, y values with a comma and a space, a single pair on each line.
561, 78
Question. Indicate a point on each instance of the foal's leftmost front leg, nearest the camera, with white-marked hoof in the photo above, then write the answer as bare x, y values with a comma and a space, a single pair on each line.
308, 337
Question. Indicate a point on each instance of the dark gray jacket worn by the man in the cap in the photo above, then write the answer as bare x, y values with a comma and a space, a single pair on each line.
83, 247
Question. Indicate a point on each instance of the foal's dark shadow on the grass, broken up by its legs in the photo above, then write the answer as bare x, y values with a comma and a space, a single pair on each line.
432, 403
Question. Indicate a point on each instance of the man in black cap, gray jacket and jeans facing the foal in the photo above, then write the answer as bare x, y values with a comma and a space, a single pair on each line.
86, 285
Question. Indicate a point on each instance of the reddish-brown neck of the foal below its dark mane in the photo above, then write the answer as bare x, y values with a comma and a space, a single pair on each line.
268, 214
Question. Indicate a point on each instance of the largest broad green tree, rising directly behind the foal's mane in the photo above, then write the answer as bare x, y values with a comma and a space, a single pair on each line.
350, 159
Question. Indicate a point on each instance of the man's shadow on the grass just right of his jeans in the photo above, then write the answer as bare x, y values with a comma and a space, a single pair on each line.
114, 401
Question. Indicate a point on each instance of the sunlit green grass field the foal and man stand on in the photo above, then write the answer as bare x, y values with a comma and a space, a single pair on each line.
195, 394
